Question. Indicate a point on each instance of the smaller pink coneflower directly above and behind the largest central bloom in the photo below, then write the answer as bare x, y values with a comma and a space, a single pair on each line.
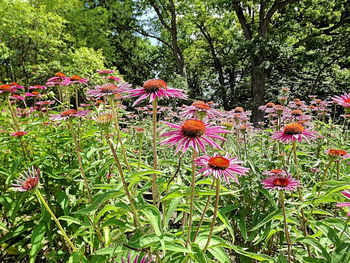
199, 109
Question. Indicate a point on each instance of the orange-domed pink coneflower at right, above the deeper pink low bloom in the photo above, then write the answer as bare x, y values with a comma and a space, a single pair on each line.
293, 132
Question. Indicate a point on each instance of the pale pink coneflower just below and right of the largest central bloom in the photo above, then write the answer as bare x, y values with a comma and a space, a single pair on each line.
221, 166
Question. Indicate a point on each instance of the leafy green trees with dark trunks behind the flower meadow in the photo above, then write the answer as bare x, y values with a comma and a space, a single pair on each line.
231, 52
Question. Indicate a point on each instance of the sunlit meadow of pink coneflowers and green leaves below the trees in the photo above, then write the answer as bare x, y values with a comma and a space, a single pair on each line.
107, 172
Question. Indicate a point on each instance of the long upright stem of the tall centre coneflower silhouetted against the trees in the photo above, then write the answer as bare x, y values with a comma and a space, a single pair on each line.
155, 157
